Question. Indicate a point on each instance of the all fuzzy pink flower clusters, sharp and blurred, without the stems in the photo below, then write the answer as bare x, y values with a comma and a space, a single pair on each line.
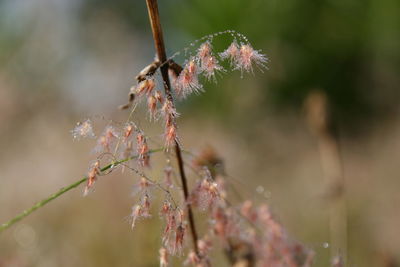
237, 228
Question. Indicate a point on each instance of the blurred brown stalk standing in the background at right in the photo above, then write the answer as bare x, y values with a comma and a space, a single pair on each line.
322, 126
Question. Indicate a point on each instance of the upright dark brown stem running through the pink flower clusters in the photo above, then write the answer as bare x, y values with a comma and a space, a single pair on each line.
154, 16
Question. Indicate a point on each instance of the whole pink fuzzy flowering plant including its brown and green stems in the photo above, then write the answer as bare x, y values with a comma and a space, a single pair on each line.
249, 235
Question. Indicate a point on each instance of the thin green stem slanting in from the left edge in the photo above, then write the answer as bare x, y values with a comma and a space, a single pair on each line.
63, 190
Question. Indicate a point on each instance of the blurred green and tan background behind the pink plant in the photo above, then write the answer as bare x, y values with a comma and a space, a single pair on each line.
319, 126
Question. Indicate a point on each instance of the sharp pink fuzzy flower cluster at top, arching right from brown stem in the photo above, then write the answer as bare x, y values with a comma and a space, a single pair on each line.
185, 80
